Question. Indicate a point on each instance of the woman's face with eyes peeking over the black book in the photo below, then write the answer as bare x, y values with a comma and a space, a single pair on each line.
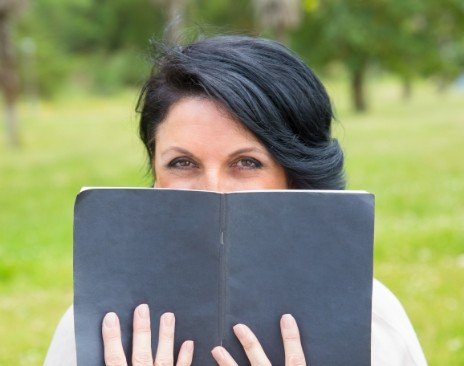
199, 146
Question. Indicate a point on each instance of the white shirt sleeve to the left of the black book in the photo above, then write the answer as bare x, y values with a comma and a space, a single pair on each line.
62, 350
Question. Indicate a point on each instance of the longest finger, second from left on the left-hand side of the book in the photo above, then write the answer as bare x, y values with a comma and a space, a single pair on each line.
141, 347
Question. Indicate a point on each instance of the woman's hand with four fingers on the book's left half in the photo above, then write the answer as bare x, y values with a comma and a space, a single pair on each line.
141, 345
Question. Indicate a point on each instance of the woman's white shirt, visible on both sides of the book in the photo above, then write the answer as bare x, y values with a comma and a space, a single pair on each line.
394, 342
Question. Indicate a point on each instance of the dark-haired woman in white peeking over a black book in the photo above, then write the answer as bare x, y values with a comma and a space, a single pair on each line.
239, 113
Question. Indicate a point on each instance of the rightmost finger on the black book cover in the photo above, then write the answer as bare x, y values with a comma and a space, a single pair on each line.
294, 355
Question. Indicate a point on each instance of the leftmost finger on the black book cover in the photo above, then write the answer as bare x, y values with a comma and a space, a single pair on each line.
111, 332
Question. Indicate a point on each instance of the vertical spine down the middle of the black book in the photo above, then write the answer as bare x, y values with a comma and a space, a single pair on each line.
222, 268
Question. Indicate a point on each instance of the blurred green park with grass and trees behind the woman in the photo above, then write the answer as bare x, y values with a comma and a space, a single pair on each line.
70, 72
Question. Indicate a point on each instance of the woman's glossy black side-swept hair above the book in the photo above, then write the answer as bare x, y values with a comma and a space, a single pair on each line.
262, 84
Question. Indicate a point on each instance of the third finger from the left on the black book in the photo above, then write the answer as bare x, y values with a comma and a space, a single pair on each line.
165, 350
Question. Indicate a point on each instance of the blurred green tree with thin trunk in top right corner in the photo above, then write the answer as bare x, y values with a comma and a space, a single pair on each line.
430, 41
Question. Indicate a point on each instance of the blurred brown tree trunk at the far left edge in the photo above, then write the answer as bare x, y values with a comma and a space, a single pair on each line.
9, 82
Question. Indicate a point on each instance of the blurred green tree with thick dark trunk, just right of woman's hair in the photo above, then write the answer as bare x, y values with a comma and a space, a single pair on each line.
355, 33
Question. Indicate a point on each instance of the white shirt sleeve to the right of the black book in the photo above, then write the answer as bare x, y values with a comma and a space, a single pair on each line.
394, 342
